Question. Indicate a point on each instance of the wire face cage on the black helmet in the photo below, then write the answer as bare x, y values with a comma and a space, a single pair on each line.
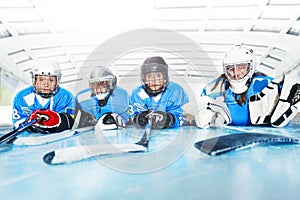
155, 69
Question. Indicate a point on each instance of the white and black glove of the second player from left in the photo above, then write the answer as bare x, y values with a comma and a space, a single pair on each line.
109, 121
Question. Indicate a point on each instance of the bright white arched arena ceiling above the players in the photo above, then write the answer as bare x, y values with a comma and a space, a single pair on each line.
71, 31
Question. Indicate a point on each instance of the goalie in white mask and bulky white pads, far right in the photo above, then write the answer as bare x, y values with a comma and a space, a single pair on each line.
241, 96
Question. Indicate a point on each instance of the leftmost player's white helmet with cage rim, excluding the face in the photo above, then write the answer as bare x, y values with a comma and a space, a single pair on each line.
46, 68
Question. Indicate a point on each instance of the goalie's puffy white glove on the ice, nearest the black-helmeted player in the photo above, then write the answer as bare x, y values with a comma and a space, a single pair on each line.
212, 113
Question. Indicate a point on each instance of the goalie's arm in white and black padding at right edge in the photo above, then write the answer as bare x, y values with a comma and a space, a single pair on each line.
276, 104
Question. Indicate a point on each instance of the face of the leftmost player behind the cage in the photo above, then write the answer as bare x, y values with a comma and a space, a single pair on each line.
45, 83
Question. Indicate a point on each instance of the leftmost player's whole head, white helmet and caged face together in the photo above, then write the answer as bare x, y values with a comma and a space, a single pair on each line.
42, 74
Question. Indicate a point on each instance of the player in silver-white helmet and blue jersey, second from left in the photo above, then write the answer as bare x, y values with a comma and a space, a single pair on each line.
104, 101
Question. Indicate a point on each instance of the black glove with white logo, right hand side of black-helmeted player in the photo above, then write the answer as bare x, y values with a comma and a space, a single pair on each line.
161, 119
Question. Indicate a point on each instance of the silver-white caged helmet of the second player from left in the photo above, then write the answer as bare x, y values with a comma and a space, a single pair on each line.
102, 75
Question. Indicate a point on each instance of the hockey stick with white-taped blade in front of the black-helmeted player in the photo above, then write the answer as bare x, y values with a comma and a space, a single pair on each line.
78, 153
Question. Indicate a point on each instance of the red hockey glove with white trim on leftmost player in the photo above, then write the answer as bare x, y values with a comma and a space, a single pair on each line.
45, 118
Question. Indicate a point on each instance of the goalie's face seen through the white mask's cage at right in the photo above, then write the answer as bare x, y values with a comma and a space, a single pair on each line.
237, 71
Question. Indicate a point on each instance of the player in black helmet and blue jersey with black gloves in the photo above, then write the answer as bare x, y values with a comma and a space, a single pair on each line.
157, 98
